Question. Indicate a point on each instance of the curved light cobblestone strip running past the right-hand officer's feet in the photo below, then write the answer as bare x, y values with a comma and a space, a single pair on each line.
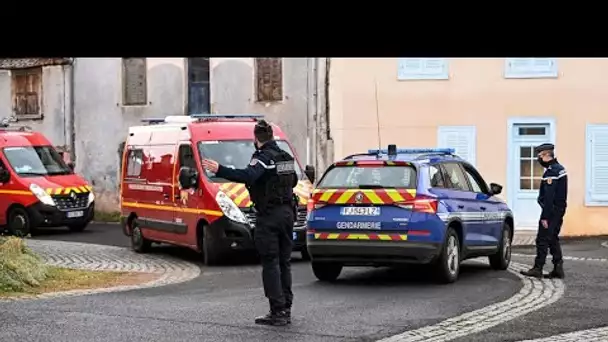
534, 295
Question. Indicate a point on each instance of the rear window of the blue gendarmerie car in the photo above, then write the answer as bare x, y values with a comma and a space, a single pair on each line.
370, 177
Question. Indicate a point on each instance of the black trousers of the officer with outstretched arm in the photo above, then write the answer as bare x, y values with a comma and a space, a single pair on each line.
273, 240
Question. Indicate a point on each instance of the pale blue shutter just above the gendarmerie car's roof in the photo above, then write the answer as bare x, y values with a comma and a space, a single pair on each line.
461, 138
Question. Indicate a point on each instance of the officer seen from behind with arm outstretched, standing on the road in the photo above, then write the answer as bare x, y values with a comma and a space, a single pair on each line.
270, 178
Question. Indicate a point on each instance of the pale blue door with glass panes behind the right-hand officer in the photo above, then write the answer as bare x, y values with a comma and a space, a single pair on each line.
524, 171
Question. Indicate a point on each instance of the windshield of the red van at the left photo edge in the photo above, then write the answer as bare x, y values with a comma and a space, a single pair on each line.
36, 161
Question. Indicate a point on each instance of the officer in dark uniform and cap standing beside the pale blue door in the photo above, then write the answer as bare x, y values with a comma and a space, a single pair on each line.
552, 198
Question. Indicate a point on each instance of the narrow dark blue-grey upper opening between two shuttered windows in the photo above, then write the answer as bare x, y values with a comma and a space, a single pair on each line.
199, 99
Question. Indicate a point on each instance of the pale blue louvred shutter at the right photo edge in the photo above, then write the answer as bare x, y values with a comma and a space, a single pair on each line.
597, 165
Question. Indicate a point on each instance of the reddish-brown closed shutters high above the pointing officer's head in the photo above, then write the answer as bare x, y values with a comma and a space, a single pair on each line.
269, 79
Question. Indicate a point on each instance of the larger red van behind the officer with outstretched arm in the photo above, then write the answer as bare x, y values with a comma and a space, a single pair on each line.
166, 197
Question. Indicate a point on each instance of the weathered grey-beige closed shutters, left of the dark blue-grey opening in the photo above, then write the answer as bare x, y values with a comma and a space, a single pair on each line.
134, 82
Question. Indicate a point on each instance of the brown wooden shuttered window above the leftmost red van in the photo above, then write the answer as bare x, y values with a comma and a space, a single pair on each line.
27, 93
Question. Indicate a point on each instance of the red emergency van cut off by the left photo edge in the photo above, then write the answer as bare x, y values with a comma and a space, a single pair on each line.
37, 188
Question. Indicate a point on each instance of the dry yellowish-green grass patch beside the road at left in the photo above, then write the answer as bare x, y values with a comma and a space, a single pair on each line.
23, 273
